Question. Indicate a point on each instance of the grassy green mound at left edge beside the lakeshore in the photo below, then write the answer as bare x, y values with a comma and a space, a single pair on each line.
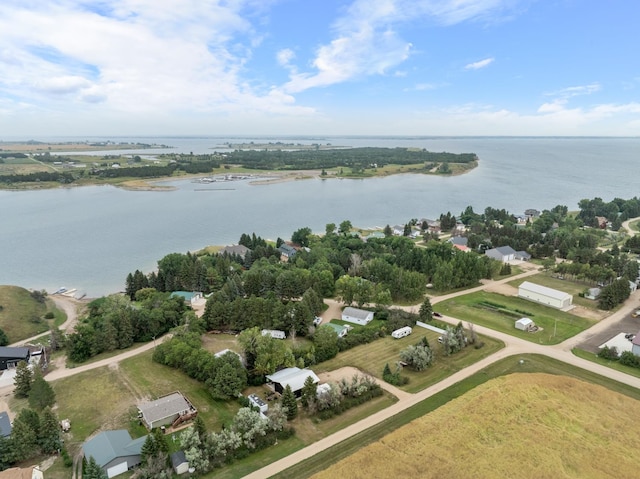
21, 316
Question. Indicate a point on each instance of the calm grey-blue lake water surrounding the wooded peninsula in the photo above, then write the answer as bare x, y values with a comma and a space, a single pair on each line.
90, 237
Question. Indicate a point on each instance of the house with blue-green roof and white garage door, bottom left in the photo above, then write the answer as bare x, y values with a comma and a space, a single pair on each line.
114, 451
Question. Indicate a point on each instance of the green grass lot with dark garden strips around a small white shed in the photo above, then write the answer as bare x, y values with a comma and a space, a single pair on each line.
476, 308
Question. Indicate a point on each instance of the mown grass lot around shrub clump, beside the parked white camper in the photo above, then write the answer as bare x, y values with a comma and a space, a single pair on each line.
372, 357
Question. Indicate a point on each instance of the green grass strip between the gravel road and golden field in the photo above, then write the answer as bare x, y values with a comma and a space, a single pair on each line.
519, 364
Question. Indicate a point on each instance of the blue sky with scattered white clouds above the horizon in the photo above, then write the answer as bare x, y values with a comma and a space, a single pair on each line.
319, 67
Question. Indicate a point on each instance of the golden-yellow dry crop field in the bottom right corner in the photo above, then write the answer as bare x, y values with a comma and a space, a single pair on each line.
521, 425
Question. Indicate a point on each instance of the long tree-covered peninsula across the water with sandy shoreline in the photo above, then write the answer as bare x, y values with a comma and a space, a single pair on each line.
36, 165
